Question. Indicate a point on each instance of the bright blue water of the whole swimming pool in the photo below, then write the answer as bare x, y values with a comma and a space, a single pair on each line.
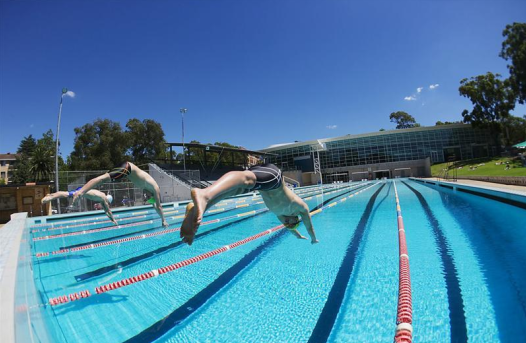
467, 259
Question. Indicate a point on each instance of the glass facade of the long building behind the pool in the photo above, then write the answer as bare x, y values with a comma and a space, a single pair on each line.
440, 143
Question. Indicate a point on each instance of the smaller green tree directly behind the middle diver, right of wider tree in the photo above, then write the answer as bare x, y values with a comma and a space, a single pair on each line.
146, 140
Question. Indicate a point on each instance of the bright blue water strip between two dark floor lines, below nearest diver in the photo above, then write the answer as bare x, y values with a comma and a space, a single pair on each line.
273, 299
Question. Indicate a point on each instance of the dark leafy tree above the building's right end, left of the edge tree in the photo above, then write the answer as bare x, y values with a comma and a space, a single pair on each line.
492, 99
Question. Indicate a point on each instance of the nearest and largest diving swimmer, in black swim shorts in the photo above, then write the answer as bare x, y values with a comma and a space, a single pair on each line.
267, 179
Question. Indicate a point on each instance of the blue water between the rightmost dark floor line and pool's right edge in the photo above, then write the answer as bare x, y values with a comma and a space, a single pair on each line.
486, 237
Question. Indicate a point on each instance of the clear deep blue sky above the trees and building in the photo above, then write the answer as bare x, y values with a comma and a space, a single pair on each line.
251, 73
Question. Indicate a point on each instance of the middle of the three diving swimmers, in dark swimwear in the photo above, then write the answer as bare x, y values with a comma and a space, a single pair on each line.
134, 174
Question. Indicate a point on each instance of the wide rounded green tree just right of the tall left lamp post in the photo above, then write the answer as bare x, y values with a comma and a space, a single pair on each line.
99, 146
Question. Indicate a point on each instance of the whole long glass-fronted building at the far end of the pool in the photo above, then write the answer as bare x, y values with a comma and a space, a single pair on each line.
395, 153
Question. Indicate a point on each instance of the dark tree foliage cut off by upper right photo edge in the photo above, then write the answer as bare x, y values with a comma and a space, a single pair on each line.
514, 49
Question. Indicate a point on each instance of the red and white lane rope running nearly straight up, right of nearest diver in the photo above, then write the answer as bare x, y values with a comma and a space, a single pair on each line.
404, 316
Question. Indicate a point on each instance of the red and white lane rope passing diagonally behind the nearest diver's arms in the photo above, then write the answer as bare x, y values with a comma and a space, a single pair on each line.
169, 268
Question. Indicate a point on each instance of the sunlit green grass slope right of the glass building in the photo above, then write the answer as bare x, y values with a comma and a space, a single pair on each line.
484, 167
